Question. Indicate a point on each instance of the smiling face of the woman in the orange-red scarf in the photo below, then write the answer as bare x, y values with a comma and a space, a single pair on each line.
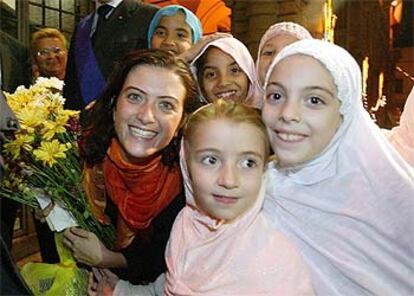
148, 111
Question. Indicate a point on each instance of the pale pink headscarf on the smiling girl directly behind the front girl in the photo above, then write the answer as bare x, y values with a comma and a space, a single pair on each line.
241, 55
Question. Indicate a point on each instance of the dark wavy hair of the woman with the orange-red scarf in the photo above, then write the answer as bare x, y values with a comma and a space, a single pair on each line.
98, 126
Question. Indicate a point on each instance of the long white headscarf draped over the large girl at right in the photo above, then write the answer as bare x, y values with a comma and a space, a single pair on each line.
350, 210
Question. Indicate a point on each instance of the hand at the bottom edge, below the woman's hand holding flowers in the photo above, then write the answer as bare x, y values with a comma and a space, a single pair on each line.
102, 282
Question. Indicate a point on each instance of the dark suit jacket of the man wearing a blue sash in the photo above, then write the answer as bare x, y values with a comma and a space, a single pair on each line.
124, 31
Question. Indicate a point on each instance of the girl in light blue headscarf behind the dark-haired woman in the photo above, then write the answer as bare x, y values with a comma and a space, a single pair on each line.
174, 28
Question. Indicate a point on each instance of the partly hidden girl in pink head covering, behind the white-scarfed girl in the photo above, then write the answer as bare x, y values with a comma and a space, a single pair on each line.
275, 38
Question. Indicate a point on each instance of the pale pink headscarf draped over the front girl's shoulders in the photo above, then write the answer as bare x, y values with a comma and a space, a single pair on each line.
245, 257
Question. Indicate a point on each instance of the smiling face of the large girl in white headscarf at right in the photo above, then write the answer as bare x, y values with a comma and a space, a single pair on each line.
301, 110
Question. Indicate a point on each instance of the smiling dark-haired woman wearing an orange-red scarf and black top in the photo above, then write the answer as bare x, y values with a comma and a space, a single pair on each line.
131, 174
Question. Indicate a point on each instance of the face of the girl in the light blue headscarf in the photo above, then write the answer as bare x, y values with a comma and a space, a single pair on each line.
173, 34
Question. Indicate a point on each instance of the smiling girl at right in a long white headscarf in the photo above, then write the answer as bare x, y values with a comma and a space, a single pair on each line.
339, 189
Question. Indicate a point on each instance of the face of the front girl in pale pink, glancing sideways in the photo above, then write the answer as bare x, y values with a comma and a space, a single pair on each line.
226, 177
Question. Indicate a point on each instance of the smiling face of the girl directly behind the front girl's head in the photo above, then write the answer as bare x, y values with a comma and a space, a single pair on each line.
222, 77
